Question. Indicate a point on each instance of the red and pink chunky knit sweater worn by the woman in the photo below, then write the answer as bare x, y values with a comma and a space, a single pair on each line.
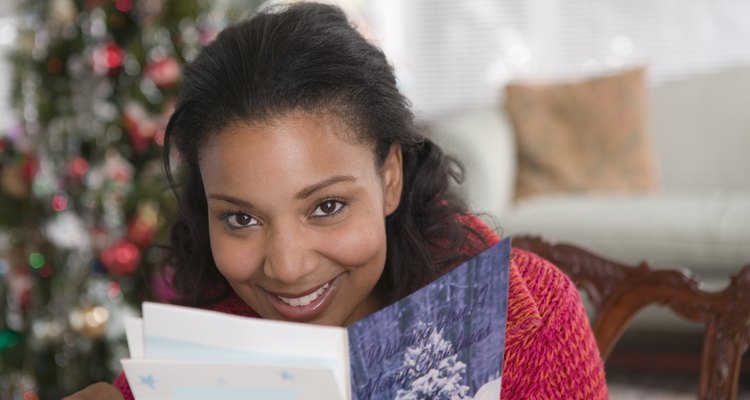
550, 351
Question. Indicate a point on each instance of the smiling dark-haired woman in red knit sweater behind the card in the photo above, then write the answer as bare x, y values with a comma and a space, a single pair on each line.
309, 196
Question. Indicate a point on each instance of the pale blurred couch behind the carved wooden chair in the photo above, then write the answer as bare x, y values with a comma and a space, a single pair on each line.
698, 218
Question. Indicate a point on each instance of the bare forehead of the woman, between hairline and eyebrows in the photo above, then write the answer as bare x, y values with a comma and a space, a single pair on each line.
295, 149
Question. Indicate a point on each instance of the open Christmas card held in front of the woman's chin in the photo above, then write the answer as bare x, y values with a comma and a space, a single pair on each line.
444, 341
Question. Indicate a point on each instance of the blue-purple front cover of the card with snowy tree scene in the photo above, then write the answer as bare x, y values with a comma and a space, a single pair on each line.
445, 341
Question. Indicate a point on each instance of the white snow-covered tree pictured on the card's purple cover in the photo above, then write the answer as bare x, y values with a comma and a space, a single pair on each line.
433, 369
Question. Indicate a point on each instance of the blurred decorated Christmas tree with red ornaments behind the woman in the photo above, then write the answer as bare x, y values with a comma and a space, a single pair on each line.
84, 208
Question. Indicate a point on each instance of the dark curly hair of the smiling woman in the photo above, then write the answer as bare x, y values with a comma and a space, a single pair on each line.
308, 58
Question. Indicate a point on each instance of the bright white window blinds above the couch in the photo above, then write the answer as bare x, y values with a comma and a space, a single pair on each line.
452, 54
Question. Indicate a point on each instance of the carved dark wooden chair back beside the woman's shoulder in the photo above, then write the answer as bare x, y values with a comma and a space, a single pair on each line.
619, 291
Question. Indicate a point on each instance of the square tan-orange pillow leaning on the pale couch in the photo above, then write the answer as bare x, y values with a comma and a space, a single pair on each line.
588, 136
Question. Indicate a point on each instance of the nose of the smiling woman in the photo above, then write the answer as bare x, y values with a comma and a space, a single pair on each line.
290, 254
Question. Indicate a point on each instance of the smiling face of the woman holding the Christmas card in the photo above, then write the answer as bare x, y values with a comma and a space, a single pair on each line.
296, 213
